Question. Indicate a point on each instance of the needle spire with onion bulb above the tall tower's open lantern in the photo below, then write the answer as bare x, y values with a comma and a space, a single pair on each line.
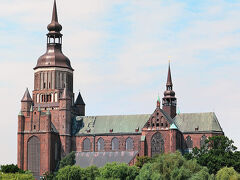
54, 26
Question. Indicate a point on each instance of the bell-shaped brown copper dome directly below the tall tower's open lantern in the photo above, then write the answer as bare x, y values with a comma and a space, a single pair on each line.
54, 58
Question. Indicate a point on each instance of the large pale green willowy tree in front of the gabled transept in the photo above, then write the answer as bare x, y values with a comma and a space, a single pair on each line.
172, 167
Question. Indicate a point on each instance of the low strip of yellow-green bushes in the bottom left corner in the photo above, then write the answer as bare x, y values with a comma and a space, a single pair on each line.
16, 176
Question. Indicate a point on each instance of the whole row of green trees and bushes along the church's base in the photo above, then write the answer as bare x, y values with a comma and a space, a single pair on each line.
217, 160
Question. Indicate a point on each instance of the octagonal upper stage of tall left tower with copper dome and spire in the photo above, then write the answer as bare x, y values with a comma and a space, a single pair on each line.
53, 72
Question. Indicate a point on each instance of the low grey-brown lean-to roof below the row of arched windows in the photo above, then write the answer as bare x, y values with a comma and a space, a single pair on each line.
99, 159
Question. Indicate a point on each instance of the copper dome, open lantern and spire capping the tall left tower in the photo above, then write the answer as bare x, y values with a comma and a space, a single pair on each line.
54, 56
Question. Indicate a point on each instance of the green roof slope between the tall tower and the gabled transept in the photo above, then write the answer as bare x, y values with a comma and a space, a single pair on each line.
110, 124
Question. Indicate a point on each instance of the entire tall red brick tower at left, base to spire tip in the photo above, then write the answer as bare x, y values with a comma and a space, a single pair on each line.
44, 122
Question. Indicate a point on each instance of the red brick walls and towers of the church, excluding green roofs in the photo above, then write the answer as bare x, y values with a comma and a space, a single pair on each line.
47, 117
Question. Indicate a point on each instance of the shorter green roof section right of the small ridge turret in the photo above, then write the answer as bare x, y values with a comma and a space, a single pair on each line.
197, 122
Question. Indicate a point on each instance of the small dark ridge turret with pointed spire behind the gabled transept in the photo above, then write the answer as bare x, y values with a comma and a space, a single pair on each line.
169, 101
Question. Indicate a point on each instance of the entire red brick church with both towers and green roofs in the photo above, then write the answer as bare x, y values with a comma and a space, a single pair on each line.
52, 123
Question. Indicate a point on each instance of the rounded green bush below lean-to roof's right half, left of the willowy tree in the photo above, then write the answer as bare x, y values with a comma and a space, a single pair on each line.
119, 171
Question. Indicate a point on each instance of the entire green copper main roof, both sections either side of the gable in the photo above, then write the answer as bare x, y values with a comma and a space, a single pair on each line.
185, 122
